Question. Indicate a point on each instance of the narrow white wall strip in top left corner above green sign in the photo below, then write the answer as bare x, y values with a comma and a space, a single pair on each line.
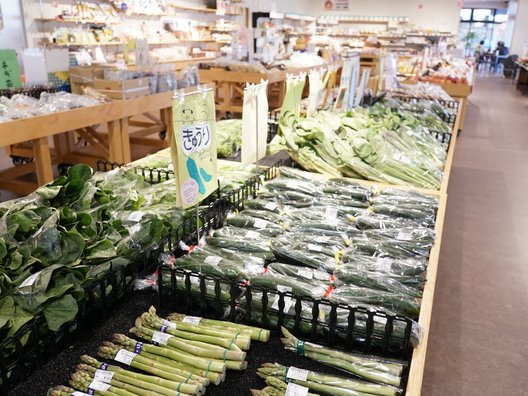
12, 36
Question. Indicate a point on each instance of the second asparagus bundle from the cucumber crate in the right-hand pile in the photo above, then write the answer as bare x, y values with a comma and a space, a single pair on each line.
326, 384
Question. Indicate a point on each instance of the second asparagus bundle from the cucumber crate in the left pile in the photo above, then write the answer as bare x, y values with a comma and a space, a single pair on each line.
224, 338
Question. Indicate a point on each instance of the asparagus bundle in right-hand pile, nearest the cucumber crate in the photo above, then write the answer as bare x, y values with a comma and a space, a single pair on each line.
384, 373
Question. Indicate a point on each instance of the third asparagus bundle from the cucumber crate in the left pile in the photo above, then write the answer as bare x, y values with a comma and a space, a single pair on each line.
234, 360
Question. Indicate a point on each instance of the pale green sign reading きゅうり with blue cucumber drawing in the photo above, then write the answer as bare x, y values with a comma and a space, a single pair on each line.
193, 147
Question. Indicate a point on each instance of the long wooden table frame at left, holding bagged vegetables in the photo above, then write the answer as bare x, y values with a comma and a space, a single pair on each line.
115, 146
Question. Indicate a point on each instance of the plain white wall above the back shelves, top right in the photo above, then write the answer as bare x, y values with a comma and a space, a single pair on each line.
441, 15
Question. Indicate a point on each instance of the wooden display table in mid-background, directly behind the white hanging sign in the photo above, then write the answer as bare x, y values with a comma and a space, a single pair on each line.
230, 86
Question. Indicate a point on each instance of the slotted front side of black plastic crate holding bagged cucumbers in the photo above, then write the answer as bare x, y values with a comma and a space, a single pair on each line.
351, 328
